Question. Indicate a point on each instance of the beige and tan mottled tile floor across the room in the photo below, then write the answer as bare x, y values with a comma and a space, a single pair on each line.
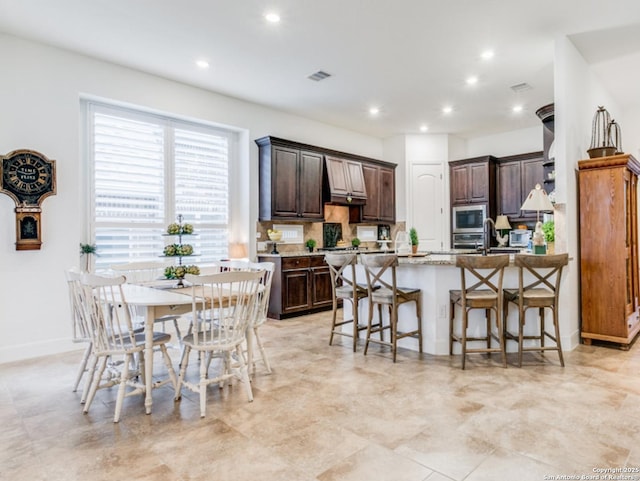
326, 413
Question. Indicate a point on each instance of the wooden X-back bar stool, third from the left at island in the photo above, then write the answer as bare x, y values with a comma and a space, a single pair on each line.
481, 288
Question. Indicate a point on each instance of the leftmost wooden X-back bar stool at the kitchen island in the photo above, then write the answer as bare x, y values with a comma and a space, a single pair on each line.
345, 289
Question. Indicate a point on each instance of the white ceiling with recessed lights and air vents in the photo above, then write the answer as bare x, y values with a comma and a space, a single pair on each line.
408, 57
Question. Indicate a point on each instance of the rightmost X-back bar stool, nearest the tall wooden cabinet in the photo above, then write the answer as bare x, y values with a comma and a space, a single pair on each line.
541, 292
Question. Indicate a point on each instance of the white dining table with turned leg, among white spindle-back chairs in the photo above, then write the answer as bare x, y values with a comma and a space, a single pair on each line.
156, 302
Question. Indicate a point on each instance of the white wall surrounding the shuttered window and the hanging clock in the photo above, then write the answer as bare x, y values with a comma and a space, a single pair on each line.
40, 90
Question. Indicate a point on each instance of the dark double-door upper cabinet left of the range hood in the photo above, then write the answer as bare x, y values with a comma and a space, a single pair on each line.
290, 181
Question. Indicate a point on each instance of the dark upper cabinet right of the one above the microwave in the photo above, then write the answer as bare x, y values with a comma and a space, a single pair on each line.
517, 175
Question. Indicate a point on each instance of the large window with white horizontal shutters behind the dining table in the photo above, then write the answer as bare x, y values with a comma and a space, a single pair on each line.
145, 170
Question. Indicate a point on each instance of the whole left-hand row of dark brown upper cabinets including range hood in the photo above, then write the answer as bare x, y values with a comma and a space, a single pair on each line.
294, 183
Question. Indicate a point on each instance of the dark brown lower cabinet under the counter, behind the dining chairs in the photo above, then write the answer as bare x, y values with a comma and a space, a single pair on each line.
301, 284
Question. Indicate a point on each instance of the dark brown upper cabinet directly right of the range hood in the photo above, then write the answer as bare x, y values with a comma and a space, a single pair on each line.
380, 182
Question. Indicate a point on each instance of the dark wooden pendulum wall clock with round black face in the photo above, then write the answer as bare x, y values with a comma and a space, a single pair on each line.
28, 177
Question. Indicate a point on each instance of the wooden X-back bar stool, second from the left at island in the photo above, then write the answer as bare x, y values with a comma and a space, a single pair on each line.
386, 293
